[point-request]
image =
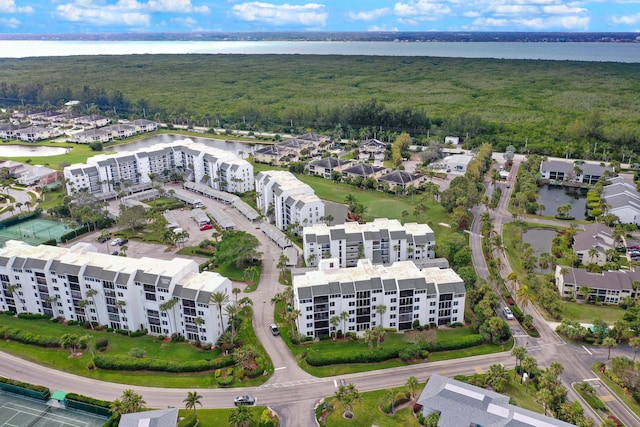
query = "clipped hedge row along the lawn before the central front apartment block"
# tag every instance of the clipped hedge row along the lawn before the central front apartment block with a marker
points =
(316, 358)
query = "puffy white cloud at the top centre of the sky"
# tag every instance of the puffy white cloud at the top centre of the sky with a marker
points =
(308, 15)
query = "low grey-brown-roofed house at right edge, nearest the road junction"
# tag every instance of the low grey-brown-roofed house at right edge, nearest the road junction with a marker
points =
(607, 287)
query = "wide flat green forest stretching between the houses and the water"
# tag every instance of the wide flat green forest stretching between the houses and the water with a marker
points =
(580, 109)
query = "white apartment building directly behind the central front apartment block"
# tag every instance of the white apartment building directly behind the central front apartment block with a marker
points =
(383, 241)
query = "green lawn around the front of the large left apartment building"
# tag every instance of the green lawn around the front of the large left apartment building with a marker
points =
(120, 345)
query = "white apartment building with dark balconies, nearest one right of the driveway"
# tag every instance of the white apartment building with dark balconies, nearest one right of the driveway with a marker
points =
(431, 295)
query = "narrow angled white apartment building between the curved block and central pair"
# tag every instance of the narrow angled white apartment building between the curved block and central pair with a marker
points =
(286, 201)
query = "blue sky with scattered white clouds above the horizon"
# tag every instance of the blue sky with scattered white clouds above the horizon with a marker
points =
(144, 16)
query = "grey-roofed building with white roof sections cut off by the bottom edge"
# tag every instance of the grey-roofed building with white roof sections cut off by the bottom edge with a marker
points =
(462, 404)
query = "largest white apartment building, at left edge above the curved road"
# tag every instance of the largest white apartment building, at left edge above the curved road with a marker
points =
(129, 292)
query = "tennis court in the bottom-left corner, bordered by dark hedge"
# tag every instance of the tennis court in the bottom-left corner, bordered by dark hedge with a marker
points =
(19, 412)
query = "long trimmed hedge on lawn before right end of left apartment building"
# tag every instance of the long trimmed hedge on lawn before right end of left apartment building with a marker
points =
(126, 363)
